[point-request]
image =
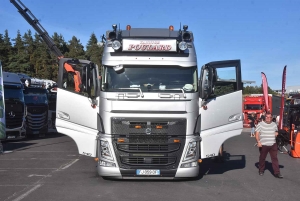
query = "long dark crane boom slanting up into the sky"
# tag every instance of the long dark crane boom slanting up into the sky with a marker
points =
(34, 22)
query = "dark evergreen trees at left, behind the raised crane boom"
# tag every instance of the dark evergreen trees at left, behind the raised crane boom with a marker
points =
(28, 53)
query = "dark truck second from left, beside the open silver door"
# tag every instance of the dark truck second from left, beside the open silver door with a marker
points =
(35, 96)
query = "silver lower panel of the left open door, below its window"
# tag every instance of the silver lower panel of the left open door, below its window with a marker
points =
(76, 118)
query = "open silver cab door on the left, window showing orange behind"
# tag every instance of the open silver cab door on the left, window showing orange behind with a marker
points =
(78, 103)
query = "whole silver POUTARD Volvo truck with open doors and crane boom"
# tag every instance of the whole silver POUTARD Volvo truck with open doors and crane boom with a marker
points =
(148, 114)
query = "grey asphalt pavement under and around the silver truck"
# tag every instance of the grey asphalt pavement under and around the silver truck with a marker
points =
(50, 168)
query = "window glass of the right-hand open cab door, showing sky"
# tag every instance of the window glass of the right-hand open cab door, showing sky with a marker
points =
(225, 80)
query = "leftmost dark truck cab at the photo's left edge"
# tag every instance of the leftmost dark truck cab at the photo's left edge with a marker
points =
(15, 106)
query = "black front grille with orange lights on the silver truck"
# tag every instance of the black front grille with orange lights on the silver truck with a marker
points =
(148, 142)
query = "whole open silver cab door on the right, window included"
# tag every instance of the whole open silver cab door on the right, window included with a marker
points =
(220, 105)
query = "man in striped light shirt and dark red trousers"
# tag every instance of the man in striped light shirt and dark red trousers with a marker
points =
(265, 134)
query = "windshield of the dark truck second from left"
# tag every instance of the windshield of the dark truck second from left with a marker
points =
(35, 96)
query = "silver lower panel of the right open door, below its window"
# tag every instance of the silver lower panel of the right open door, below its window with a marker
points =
(221, 120)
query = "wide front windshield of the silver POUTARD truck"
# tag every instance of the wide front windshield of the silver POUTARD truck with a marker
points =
(150, 78)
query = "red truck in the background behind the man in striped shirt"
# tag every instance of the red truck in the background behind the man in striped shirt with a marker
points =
(255, 103)
